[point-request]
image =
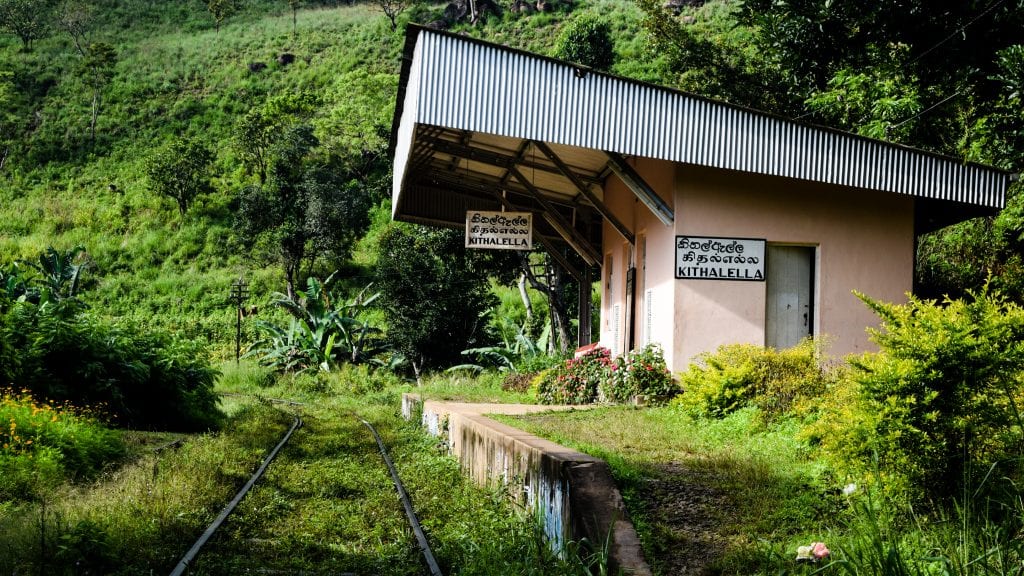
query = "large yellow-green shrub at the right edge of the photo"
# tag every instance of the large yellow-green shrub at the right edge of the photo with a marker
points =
(938, 405)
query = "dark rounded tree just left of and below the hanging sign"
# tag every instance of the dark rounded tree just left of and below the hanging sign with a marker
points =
(436, 295)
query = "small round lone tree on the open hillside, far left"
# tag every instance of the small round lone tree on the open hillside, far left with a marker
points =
(181, 172)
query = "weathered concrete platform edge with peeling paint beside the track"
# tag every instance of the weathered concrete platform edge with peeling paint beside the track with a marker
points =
(573, 493)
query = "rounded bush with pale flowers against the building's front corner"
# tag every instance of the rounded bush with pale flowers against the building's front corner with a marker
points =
(642, 376)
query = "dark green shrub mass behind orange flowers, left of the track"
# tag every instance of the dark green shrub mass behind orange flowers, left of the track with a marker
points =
(143, 379)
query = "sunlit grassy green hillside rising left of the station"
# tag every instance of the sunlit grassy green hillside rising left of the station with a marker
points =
(176, 77)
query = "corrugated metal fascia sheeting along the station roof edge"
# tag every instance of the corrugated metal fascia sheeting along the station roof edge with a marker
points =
(463, 85)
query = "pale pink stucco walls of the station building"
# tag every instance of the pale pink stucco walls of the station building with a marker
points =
(865, 242)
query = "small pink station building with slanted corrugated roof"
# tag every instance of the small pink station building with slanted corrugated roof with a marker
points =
(706, 224)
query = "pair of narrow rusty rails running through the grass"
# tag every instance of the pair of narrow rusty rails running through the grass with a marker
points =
(194, 557)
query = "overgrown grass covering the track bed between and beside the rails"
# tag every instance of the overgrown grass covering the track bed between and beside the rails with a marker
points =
(325, 506)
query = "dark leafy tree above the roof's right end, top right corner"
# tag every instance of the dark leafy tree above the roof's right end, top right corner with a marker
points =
(948, 55)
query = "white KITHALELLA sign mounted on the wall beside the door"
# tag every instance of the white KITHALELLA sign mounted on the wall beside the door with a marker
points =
(701, 258)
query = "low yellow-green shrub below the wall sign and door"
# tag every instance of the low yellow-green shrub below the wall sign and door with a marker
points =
(741, 376)
